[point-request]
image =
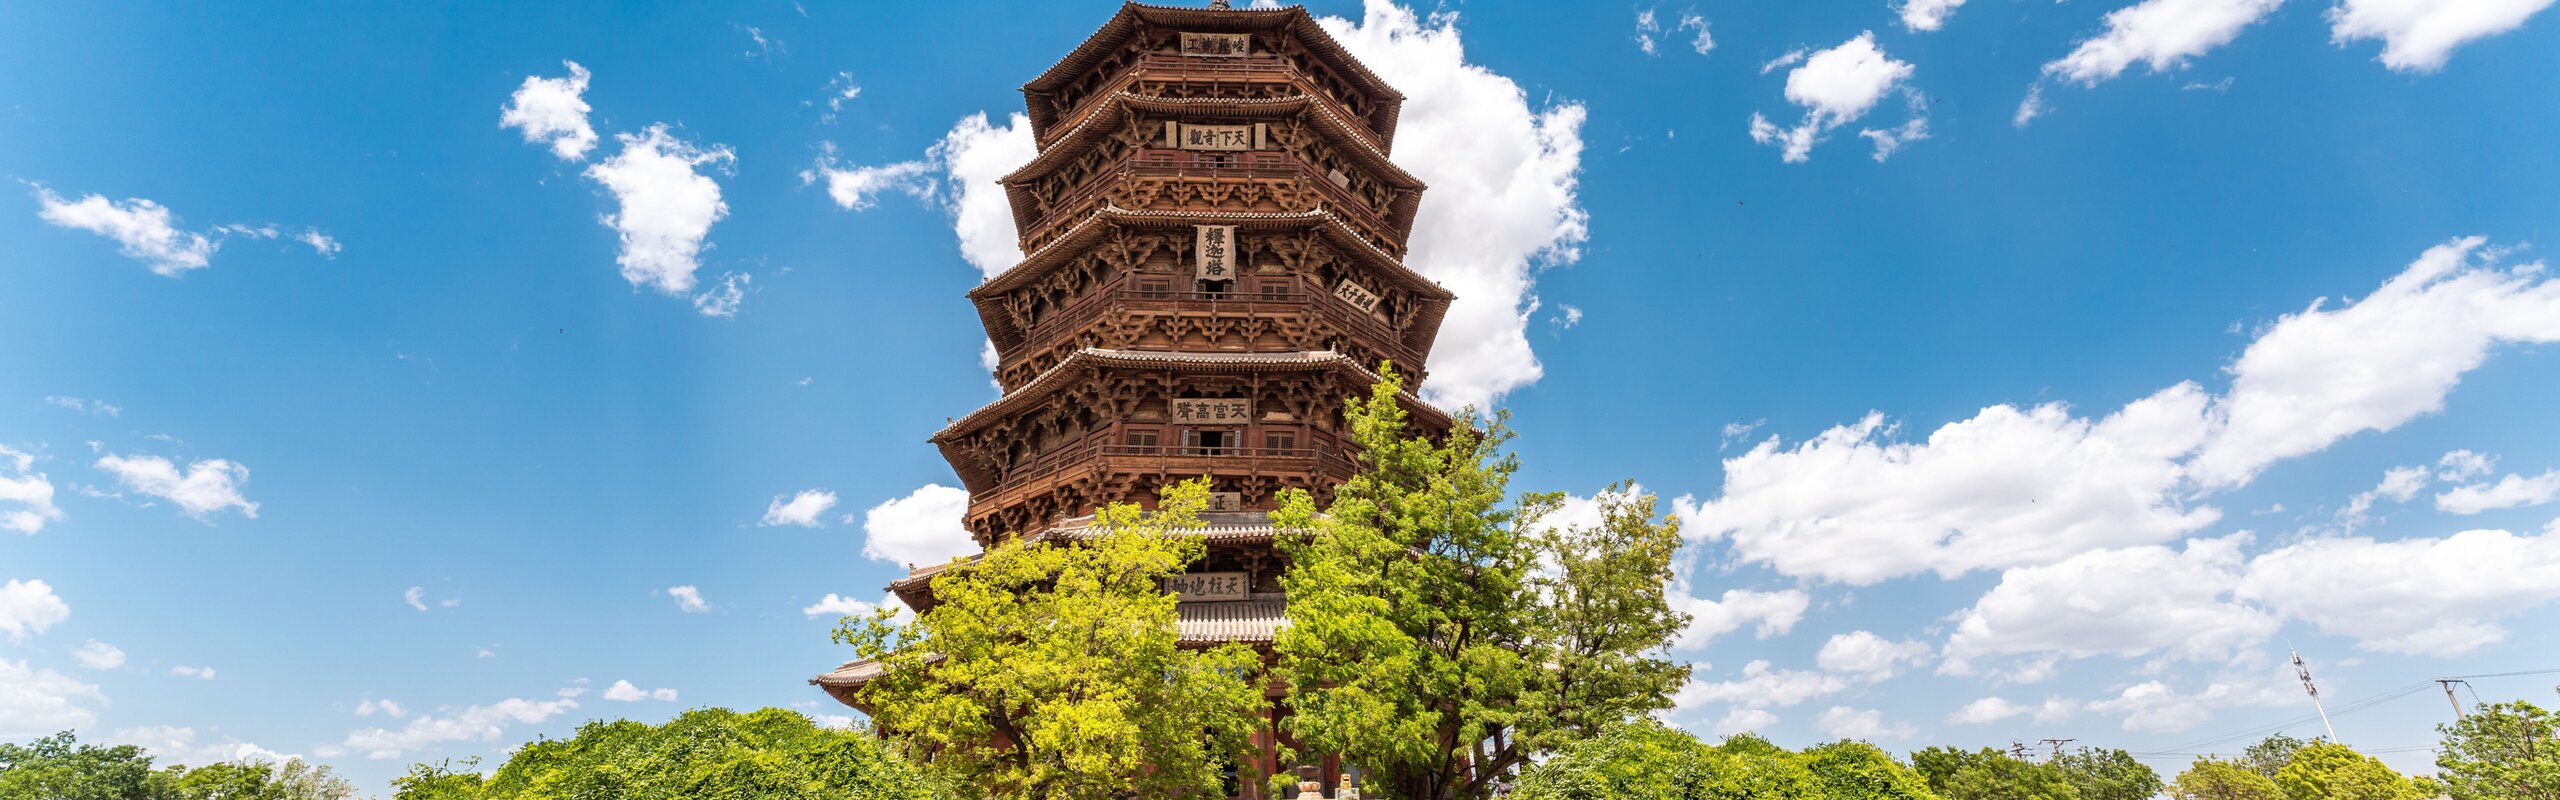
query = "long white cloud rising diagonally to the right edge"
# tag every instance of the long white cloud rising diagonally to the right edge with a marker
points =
(2021, 488)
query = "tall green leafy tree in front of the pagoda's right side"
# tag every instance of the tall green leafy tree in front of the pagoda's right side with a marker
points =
(1422, 640)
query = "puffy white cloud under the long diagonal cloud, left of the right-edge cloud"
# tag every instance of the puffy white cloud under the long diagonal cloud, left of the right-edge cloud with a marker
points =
(2116, 601)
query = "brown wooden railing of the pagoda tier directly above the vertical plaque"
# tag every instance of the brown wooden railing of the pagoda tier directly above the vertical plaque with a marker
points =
(1215, 165)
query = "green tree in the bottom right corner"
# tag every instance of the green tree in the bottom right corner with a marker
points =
(2502, 750)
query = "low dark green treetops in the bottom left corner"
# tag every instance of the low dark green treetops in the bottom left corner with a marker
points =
(60, 768)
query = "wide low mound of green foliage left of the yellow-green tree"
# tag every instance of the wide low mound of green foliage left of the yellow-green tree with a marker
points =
(710, 755)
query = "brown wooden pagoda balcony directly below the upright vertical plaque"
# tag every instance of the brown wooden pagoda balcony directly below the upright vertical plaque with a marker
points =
(1120, 299)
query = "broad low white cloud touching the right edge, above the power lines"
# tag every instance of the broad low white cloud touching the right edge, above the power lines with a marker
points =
(2413, 596)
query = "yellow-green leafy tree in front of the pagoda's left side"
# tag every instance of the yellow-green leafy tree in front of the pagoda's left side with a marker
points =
(1053, 671)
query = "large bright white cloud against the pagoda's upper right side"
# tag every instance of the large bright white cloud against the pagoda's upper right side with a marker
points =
(1504, 194)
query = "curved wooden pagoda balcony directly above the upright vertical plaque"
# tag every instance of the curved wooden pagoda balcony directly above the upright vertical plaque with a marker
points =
(1217, 168)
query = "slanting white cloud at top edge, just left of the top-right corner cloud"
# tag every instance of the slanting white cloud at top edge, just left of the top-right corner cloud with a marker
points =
(2159, 35)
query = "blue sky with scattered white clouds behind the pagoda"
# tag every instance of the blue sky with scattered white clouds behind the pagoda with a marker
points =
(347, 422)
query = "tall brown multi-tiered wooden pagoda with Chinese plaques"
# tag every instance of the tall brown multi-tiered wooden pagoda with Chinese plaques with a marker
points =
(1215, 265)
